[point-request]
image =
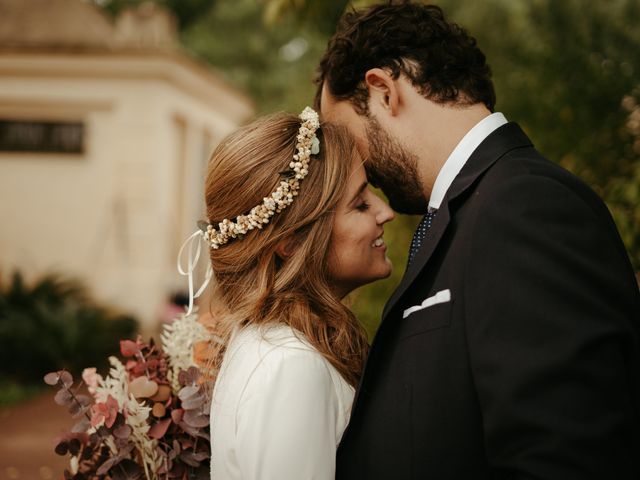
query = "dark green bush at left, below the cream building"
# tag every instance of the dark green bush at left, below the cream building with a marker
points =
(53, 325)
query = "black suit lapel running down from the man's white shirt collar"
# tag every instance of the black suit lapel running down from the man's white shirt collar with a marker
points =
(497, 144)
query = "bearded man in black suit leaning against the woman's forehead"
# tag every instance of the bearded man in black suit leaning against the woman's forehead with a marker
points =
(510, 350)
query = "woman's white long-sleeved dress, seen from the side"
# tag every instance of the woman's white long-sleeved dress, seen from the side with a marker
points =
(279, 409)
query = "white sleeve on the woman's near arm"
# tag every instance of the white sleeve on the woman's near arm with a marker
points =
(286, 421)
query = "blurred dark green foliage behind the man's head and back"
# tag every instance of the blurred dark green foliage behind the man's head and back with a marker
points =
(568, 72)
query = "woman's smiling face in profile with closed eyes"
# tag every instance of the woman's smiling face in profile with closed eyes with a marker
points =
(358, 252)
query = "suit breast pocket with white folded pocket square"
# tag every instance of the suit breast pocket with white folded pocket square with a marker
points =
(432, 314)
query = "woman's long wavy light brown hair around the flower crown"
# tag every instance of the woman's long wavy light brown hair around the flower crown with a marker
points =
(252, 284)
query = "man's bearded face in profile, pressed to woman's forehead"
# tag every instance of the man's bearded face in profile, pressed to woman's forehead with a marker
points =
(390, 166)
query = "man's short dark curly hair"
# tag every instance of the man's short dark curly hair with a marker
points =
(440, 58)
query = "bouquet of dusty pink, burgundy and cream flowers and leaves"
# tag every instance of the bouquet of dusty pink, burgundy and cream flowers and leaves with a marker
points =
(148, 418)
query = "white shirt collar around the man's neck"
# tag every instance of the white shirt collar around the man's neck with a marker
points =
(461, 154)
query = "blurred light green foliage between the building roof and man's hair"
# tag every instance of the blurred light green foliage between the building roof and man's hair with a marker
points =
(274, 64)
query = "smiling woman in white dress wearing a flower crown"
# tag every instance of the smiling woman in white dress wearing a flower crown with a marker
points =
(292, 229)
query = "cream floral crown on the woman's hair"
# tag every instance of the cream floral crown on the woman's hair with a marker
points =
(307, 145)
